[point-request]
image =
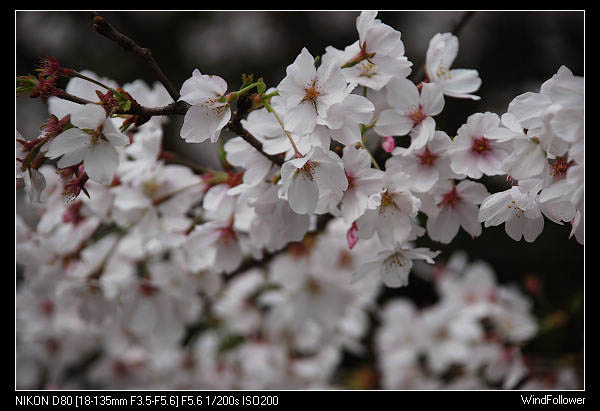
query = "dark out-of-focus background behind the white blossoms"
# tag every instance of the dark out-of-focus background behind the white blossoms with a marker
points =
(514, 52)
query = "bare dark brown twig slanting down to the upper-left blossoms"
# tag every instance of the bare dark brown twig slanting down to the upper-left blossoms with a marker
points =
(103, 27)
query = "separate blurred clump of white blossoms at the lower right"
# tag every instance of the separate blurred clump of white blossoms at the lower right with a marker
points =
(470, 339)
